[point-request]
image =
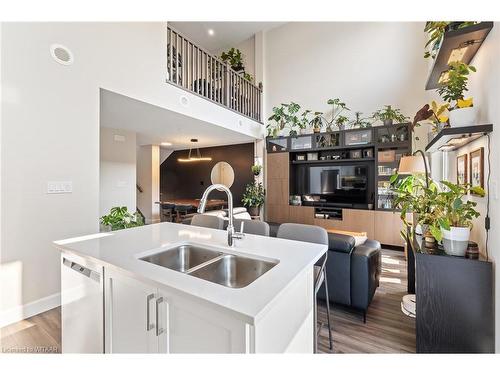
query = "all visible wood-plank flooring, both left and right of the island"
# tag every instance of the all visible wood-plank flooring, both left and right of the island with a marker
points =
(387, 329)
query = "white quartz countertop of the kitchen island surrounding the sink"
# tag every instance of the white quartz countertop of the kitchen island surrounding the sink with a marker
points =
(123, 248)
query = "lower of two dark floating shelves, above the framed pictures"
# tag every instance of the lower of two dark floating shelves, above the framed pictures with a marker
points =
(450, 139)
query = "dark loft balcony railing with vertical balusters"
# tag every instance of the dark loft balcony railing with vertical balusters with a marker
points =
(194, 69)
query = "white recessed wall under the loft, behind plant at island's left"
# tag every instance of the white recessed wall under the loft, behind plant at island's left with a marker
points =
(117, 170)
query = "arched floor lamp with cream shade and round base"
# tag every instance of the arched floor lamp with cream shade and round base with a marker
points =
(414, 164)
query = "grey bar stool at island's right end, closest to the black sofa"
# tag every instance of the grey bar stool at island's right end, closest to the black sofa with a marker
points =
(314, 234)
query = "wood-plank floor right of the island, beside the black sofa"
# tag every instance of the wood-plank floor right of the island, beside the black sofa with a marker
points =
(387, 329)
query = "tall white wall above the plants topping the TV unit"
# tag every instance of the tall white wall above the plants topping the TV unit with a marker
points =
(367, 65)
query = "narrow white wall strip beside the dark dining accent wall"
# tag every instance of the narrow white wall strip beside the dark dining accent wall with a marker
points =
(148, 178)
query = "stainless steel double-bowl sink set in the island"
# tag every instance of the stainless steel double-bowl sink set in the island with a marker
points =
(232, 271)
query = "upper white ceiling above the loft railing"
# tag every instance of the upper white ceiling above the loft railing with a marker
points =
(225, 34)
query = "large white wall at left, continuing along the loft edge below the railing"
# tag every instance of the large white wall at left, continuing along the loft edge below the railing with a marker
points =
(50, 132)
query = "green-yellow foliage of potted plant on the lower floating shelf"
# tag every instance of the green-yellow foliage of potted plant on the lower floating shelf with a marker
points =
(455, 85)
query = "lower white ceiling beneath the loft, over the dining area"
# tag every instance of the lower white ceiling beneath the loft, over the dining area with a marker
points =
(155, 125)
